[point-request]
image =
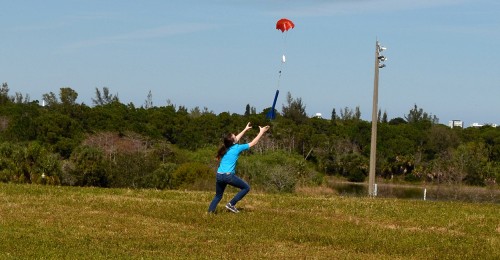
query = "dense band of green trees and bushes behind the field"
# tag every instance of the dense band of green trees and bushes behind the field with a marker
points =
(111, 144)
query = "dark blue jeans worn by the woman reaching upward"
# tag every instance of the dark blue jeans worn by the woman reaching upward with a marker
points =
(220, 185)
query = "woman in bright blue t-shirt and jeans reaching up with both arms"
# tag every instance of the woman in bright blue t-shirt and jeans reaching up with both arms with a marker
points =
(226, 173)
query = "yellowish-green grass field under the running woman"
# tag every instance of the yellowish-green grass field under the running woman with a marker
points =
(46, 222)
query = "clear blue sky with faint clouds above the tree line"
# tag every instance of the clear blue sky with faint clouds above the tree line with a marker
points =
(443, 55)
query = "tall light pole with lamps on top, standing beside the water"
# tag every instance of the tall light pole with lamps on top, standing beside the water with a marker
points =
(373, 148)
